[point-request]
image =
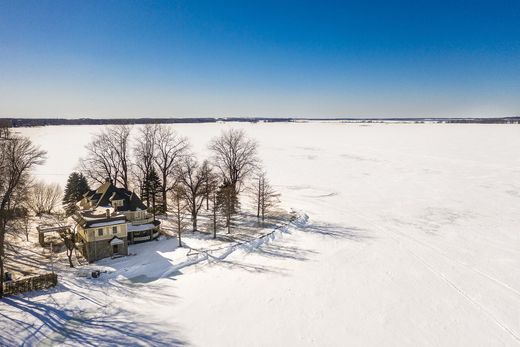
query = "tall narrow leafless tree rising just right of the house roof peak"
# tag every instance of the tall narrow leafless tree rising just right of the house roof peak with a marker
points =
(145, 151)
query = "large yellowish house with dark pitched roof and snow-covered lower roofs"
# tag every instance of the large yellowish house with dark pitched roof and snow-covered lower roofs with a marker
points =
(111, 218)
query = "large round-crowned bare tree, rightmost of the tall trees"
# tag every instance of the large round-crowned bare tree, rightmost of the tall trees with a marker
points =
(235, 155)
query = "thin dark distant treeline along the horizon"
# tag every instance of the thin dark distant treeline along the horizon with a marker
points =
(31, 122)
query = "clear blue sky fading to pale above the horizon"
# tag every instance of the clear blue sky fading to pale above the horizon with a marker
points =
(259, 58)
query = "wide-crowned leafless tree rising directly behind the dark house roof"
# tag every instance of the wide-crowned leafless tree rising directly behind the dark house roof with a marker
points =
(108, 156)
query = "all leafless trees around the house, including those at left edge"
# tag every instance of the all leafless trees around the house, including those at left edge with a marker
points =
(158, 163)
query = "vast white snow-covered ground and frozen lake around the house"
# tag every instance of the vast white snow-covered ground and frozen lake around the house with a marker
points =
(407, 235)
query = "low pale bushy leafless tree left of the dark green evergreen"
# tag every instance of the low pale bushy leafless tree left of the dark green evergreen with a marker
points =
(44, 197)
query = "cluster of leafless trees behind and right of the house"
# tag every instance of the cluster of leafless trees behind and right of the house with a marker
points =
(170, 178)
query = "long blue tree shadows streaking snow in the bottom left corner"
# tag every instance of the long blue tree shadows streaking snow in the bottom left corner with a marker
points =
(61, 325)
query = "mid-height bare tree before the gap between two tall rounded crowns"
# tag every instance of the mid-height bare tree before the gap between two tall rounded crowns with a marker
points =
(192, 179)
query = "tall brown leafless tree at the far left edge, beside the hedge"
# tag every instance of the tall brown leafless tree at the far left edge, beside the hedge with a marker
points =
(18, 156)
